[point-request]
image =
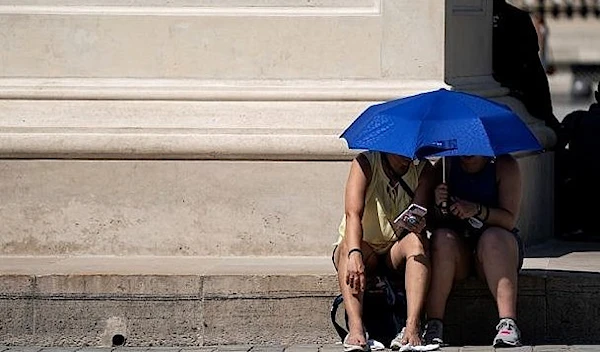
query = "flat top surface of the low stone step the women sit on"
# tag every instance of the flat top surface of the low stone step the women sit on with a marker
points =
(551, 257)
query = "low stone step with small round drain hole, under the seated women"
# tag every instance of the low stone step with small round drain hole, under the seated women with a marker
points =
(207, 301)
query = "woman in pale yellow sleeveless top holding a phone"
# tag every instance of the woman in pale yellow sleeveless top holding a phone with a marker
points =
(378, 189)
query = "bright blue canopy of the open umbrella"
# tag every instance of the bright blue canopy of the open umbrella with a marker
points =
(440, 123)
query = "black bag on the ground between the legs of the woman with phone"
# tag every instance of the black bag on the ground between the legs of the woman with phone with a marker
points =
(384, 311)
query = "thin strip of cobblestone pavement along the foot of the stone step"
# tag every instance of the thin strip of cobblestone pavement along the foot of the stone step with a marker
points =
(294, 348)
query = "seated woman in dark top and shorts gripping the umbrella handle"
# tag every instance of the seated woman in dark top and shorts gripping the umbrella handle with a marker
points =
(475, 231)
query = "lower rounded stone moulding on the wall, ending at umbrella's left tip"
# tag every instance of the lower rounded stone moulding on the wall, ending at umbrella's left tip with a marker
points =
(171, 145)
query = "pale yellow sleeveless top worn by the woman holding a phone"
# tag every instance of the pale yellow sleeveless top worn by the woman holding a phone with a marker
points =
(383, 204)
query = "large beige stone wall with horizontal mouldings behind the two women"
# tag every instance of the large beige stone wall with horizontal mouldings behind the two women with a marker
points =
(212, 128)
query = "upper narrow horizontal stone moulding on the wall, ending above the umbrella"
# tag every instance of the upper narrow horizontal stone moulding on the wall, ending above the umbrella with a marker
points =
(212, 90)
